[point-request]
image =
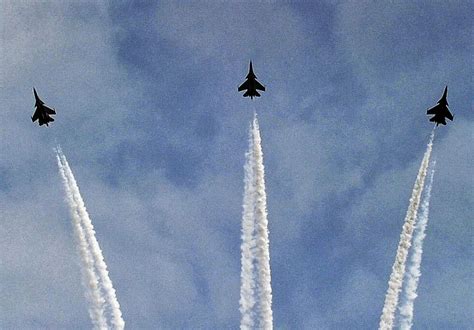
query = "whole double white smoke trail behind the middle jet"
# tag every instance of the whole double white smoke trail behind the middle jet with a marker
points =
(255, 290)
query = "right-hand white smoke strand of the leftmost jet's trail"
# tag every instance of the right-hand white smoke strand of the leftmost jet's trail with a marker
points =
(101, 267)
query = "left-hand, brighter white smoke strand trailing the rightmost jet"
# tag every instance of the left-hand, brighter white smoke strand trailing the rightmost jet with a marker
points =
(398, 268)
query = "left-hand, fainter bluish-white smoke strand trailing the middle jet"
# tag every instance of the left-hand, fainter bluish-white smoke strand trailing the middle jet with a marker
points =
(247, 274)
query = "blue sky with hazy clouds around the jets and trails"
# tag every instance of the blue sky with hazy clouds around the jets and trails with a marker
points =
(149, 117)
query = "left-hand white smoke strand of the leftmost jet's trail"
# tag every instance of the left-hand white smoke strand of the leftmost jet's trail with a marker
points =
(90, 280)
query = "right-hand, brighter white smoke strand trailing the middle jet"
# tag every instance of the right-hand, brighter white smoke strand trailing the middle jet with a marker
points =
(264, 292)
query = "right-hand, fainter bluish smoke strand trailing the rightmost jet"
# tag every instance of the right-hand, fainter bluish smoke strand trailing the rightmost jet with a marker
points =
(414, 272)
